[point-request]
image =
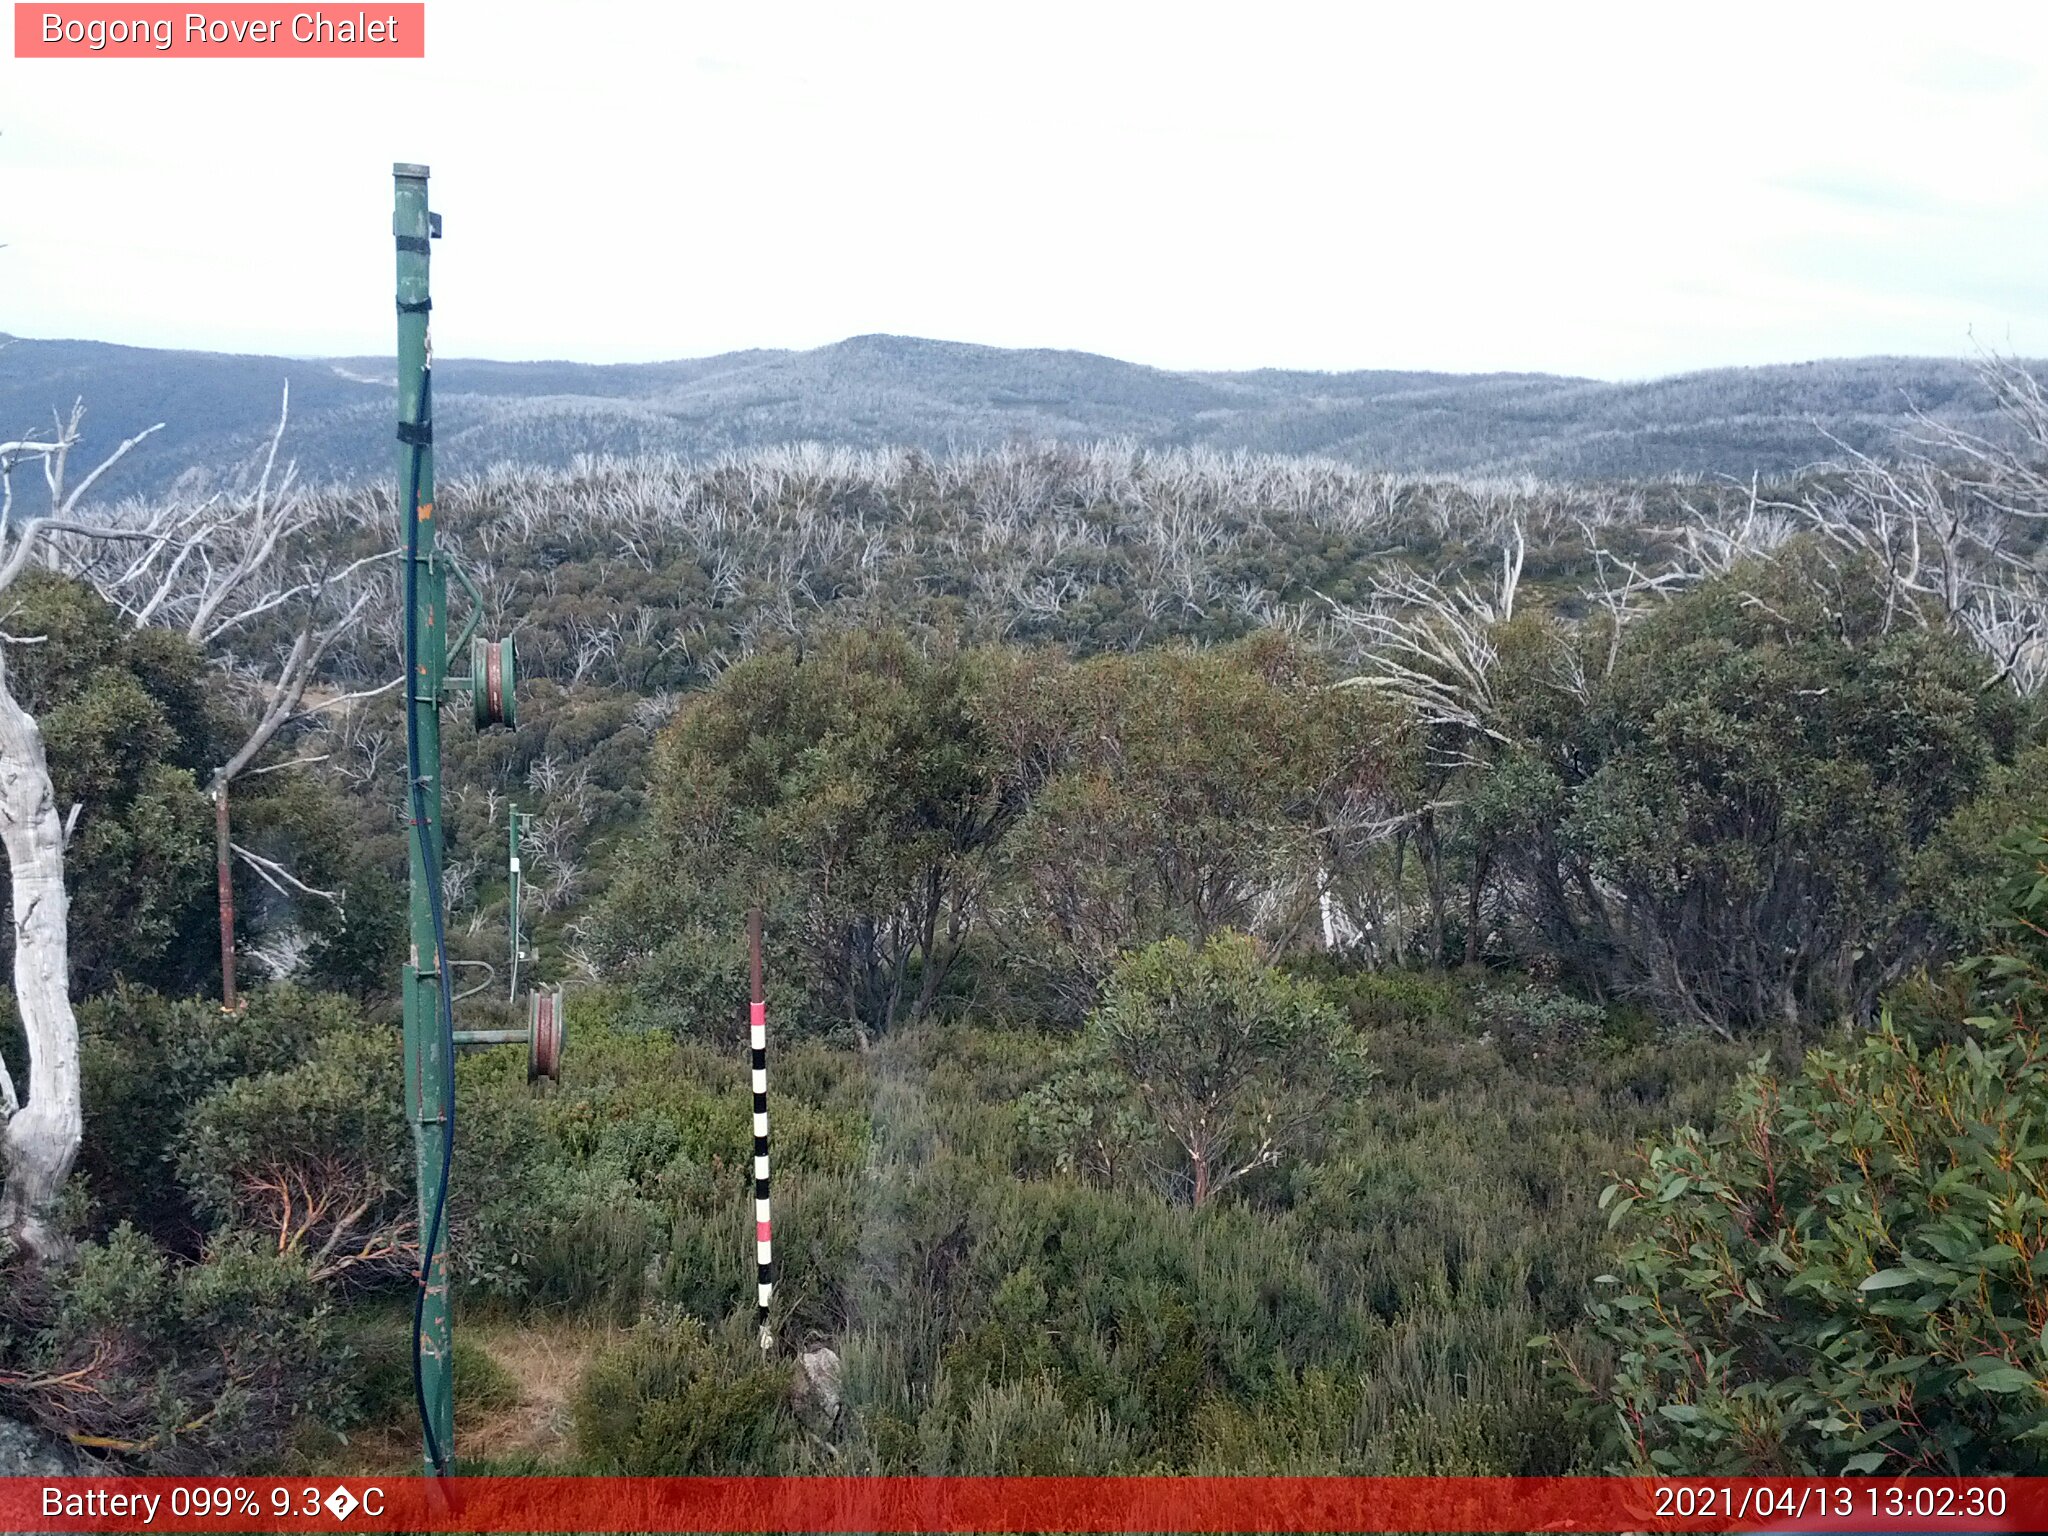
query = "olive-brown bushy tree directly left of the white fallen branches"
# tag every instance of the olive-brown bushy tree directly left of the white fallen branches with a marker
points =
(1193, 787)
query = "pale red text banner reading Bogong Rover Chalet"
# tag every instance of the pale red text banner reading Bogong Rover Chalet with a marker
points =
(220, 32)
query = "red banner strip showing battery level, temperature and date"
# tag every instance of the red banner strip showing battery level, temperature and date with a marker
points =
(1023, 1504)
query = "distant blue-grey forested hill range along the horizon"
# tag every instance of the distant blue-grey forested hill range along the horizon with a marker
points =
(898, 390)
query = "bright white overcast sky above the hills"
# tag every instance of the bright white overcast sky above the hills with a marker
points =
(1576, 189)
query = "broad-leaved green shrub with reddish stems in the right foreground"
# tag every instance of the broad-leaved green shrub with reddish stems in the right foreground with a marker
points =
(1848, 1277)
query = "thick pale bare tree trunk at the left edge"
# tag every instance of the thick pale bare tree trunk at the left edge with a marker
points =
(42, 1136)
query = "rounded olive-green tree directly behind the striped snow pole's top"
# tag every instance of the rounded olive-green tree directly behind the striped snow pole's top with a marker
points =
(855, 787)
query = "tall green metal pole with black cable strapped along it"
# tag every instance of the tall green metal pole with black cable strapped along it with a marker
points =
(427, 1066)
